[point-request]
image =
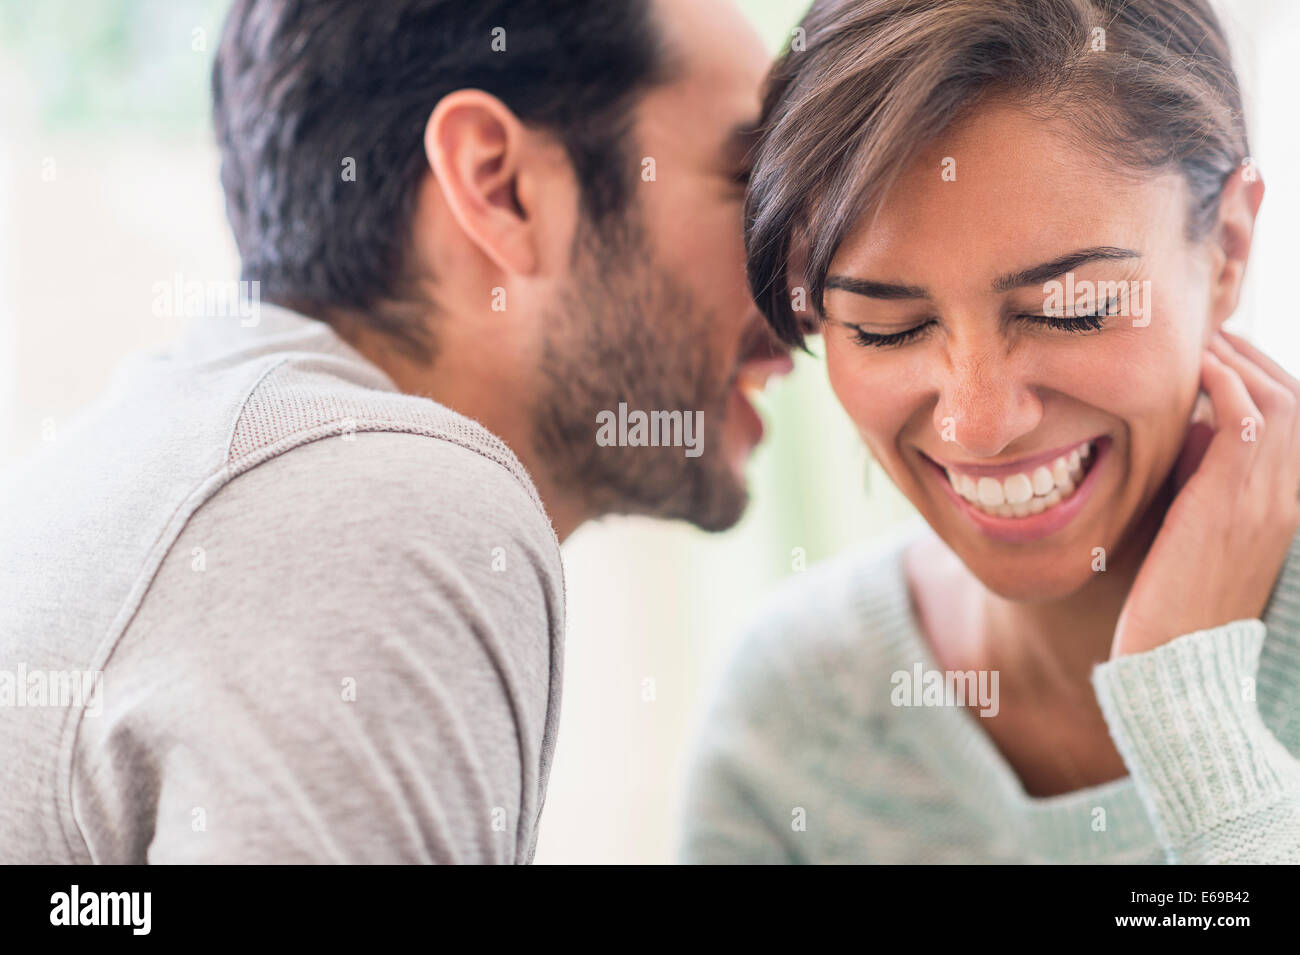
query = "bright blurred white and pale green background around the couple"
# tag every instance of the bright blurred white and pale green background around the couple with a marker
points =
(109, 184)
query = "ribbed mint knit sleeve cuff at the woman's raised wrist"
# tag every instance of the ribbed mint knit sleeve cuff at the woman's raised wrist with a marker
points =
(1185, 719)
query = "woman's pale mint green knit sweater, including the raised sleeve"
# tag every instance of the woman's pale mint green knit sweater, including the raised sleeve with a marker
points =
(804, 759)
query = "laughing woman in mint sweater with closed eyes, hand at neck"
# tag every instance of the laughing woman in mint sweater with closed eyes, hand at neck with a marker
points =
(1021, 225)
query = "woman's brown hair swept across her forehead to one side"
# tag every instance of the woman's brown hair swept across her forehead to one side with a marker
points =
(868, 84)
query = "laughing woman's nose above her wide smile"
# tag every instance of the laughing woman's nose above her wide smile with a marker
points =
(985, 402)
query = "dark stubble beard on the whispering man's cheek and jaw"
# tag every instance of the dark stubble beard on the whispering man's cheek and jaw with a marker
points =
(627, 332)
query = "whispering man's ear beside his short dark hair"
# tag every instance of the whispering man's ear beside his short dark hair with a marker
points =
(476, 146)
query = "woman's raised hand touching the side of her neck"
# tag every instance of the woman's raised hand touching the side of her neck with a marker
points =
(1227, 535)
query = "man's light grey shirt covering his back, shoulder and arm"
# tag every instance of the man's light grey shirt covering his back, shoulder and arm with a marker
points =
(262, 607)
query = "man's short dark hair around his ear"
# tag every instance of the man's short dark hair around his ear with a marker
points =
(302, 86)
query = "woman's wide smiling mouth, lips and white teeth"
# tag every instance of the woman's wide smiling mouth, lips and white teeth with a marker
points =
(1032, 498)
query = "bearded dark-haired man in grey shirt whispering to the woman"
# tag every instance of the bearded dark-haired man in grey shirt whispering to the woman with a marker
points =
(309, 571)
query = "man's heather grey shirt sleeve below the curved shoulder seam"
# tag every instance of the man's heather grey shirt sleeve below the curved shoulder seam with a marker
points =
(369, 605)
